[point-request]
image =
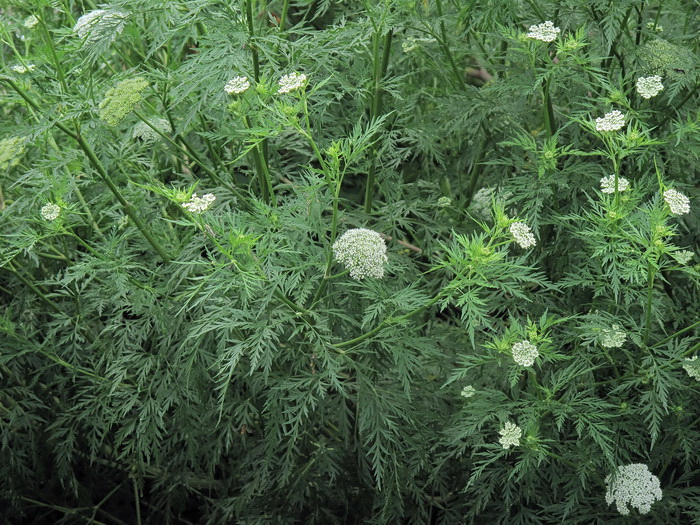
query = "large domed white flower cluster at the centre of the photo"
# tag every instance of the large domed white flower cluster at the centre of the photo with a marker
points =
(362, 251)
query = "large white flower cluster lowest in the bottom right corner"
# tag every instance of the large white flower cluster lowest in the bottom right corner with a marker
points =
(633, 485)
